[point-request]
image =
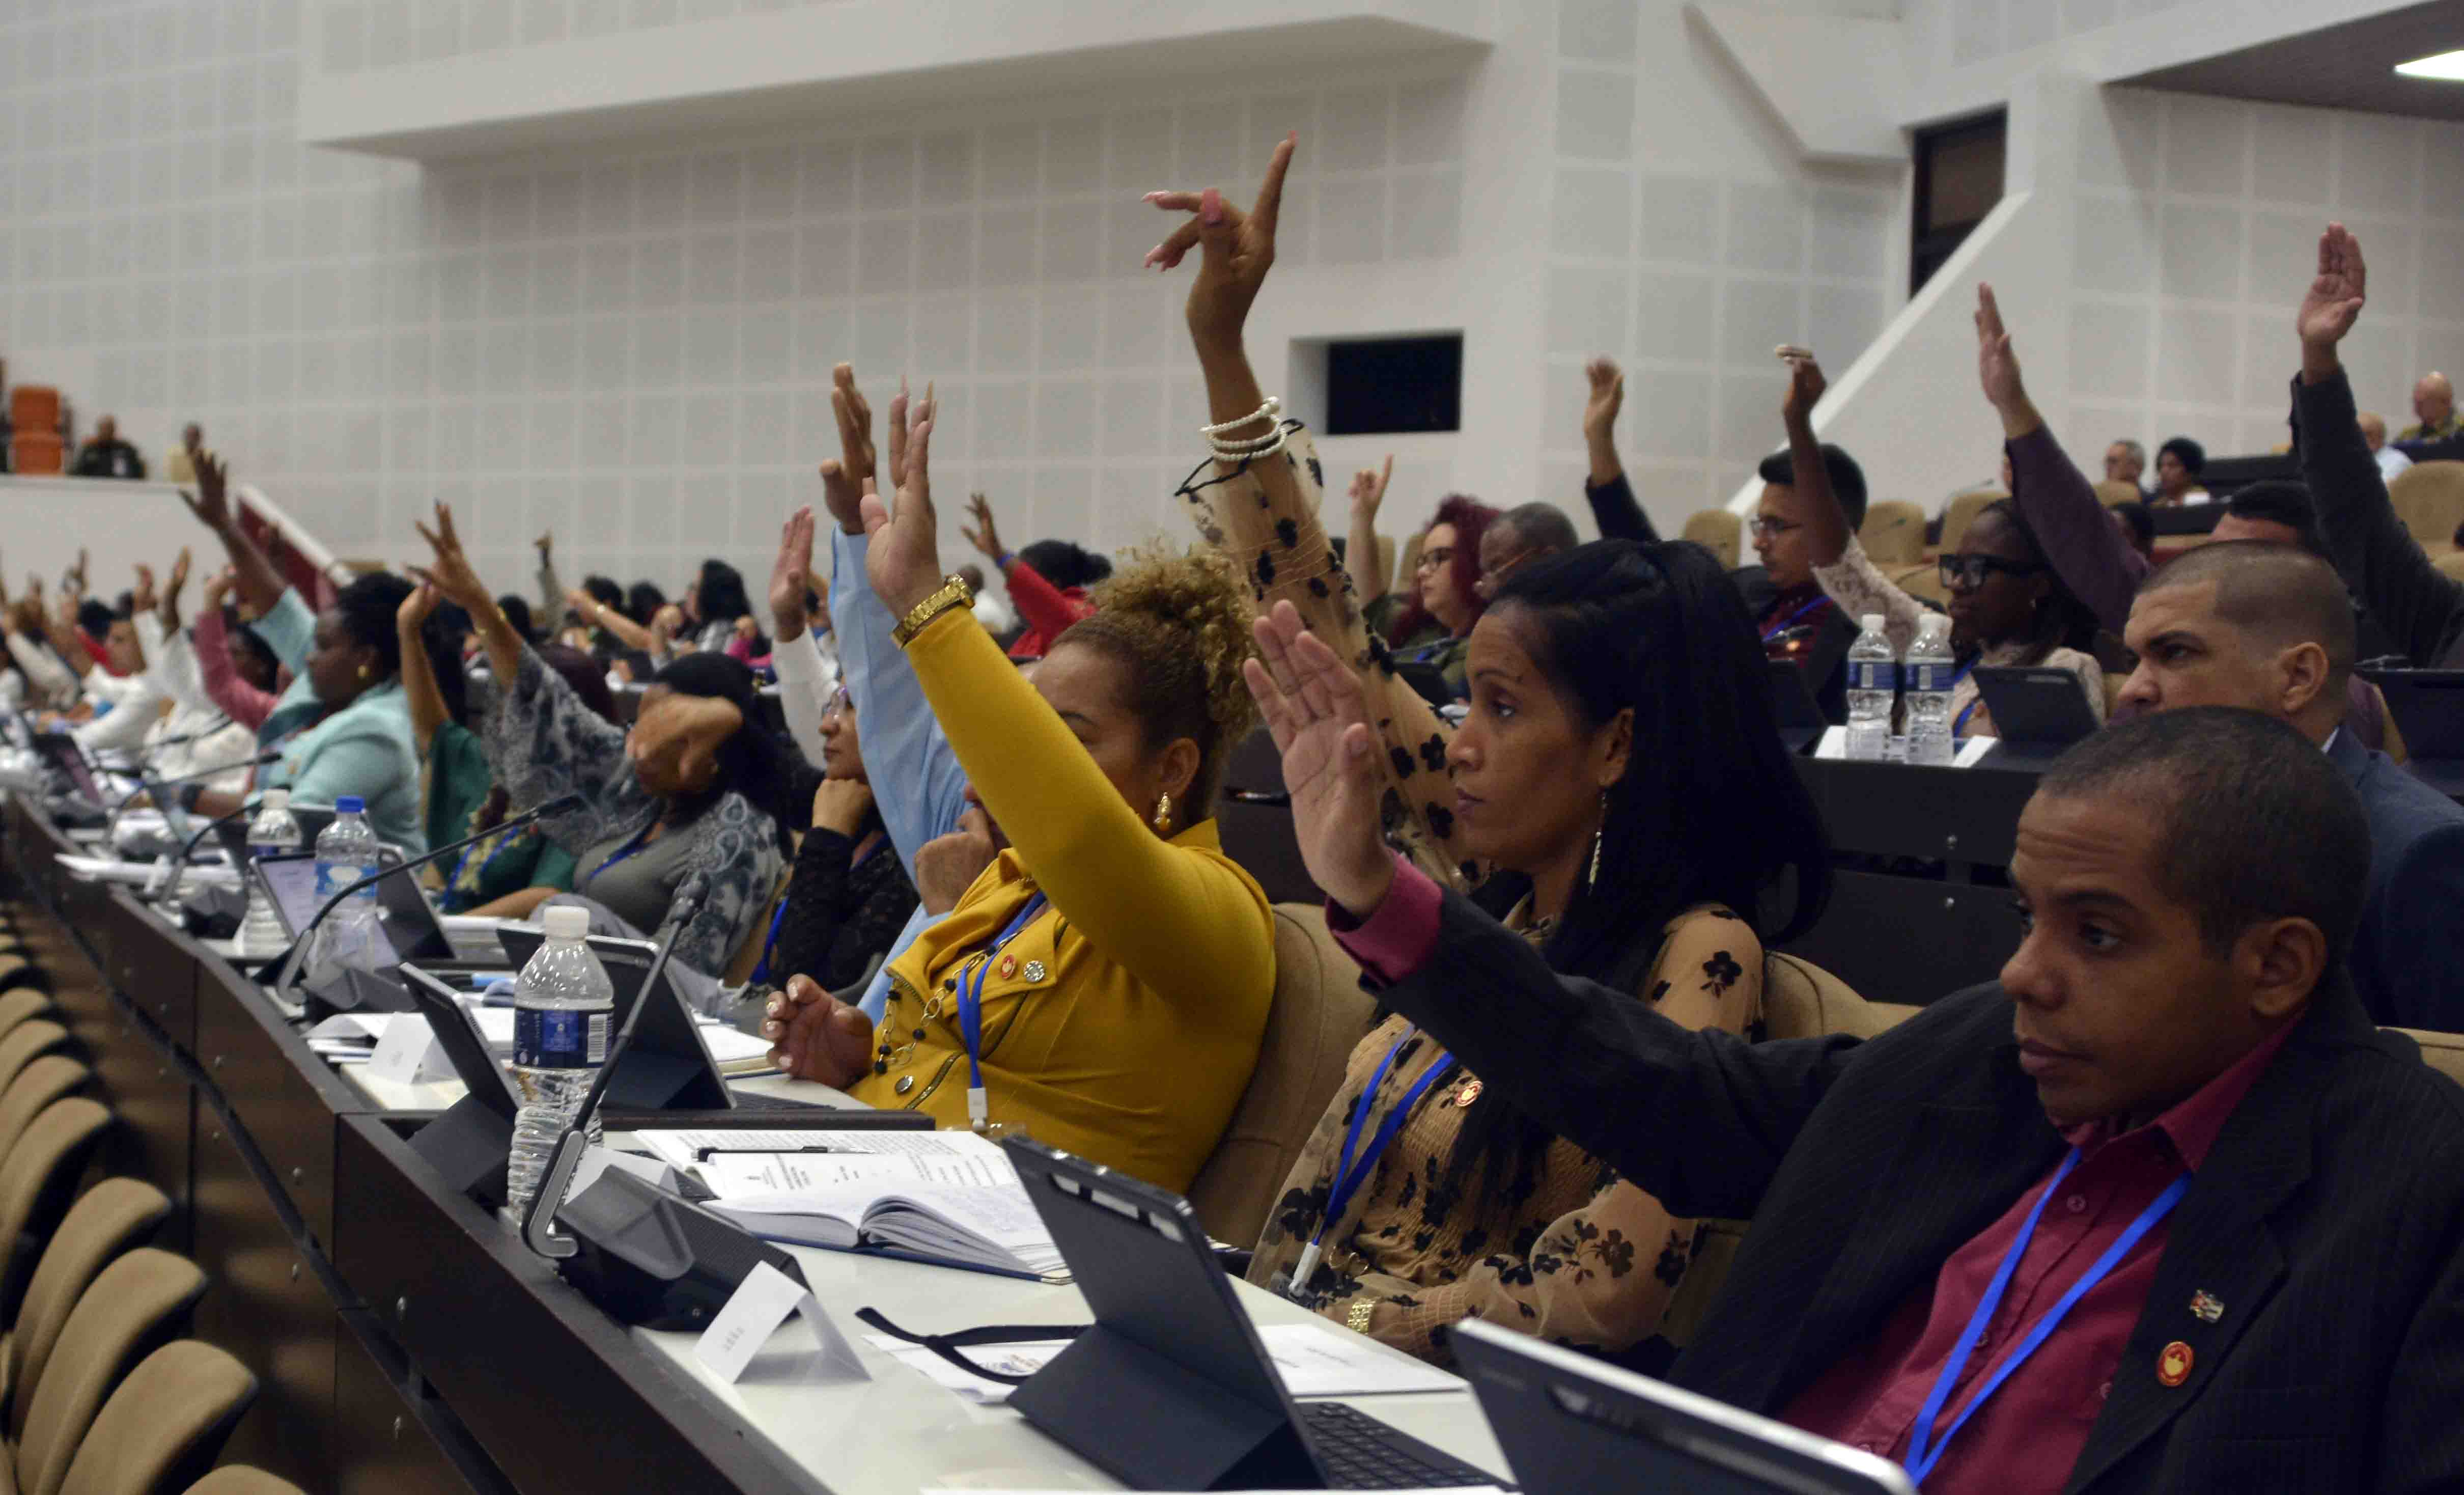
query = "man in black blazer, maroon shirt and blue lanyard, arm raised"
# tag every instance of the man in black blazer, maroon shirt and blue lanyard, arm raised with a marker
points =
(2170, 1139)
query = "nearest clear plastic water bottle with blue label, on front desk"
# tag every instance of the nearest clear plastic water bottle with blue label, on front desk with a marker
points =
(563, 1006)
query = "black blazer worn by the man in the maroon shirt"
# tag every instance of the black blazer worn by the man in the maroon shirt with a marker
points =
(2330, 1218)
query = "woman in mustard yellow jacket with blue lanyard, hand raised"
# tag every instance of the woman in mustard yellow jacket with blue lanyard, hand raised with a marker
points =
(1105, 981)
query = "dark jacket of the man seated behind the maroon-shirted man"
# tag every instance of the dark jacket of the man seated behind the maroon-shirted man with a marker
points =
(2409, 957)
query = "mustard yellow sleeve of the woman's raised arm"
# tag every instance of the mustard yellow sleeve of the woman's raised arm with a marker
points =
(1174, 920)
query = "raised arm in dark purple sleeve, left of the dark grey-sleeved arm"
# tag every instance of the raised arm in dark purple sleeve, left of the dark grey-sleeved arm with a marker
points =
(2049, 489)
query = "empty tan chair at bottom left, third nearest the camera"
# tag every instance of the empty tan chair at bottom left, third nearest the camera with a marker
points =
(134, 1307)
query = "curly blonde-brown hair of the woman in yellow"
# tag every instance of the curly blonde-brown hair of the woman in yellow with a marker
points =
(1181, 624)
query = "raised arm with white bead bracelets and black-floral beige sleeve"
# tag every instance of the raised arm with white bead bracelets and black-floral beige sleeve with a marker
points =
(1260, 504)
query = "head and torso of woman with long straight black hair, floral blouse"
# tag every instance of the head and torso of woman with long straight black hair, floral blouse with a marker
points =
(1625, 777)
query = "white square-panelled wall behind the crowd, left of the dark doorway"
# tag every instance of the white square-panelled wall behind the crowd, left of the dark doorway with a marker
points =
(634, 349)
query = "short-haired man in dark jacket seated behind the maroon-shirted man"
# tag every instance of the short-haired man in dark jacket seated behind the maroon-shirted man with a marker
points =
(2268, 629)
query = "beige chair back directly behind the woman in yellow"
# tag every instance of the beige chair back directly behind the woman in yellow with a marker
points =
(1312, 1028)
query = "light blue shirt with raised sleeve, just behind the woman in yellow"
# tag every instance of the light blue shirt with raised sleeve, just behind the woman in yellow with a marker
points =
(918, 782)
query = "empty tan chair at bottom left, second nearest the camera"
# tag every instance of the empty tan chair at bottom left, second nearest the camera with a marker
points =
(166, 1425)
